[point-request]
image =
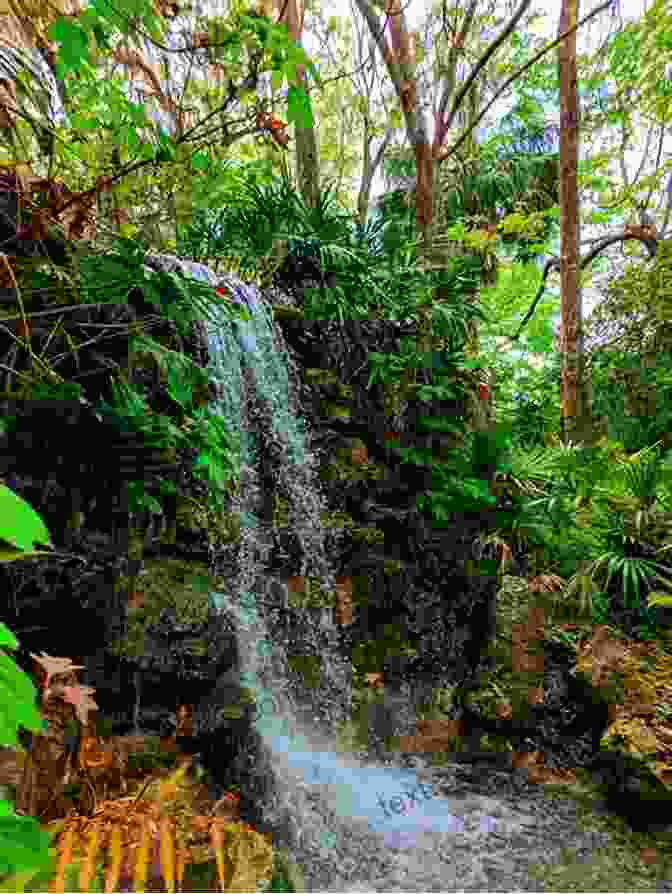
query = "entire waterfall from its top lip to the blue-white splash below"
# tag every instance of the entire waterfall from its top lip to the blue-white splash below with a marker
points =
(337, 804)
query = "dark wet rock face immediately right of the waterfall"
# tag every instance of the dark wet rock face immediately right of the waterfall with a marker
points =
(442, 597)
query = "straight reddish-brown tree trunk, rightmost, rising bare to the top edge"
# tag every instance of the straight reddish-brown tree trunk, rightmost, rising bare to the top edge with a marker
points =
(575, 413)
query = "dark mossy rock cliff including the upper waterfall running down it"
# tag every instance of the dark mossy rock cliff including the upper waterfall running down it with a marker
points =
(337, 538)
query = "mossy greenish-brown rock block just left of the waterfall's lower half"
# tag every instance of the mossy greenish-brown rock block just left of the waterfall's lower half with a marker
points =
(173, 584)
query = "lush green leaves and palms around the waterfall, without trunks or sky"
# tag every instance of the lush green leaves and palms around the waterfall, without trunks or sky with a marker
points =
(596, 514)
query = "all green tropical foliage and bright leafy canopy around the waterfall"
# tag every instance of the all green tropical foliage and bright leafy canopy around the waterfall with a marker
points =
(95, 173)
